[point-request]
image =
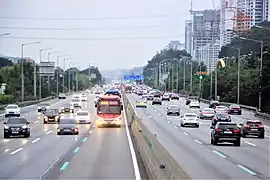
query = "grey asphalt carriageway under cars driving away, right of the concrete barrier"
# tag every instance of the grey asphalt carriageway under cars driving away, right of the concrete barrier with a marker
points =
(191, 147)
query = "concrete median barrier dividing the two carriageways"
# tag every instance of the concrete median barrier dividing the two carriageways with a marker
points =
(158, 162)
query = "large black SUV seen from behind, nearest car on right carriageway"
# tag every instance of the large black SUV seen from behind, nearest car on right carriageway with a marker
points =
(226, 132)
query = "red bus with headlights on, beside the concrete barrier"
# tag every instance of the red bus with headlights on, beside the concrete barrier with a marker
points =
(109, 109)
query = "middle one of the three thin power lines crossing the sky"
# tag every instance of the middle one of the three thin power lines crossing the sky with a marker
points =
(87, 29)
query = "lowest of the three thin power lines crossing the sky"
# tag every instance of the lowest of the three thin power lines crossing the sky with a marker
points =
(94, 39)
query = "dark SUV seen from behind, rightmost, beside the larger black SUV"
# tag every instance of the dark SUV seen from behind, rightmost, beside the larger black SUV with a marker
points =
(252, 127)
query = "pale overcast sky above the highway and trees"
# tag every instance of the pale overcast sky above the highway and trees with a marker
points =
(117, 33)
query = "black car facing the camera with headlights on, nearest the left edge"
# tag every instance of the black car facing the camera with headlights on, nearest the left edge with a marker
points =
(16, 126)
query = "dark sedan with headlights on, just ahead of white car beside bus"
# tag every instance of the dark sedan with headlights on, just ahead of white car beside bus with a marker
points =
(67, 125)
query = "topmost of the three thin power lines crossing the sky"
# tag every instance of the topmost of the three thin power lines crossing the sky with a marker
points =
(92, 18)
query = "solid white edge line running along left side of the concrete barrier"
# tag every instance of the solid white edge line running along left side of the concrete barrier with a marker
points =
(132, 151)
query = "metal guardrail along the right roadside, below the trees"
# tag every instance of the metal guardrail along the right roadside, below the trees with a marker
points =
(250, 108)
